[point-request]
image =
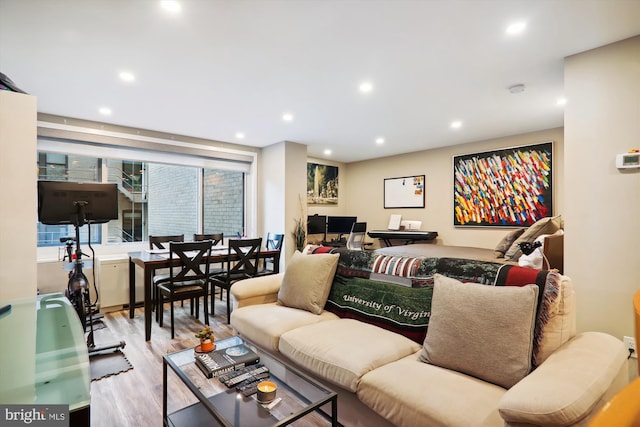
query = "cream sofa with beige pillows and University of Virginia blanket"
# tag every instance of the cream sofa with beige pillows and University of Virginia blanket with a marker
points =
(385, 374)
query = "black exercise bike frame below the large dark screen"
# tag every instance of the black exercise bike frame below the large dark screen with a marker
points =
(78, 285)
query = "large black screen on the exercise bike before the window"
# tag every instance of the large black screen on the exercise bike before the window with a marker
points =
(63, 202)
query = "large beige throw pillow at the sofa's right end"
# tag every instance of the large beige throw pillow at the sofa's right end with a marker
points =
(481, 330)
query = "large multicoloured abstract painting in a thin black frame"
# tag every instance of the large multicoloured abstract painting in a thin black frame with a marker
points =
(504, 188)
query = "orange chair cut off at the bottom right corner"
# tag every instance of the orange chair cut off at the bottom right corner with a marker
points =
(623, 410)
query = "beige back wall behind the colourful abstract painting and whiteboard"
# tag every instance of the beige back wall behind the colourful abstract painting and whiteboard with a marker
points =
(363, 192)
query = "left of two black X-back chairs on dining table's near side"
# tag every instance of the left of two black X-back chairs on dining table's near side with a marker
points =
(188, 280)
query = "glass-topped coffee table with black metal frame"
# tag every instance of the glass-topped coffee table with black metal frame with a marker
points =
(297, 395)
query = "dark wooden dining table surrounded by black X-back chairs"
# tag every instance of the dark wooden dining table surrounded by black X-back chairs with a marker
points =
(150, 262)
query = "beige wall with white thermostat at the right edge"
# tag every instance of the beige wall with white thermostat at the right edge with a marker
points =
(602, 244)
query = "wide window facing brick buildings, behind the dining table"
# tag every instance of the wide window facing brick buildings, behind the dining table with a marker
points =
(154, 198)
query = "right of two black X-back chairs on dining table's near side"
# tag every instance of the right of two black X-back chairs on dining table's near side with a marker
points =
(242, 263)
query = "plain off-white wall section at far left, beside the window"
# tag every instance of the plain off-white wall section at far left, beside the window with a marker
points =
(18, 192)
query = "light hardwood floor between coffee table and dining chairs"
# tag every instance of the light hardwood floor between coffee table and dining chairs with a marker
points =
(134, 398)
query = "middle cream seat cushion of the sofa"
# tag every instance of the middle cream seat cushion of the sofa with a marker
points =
(343, 350)
